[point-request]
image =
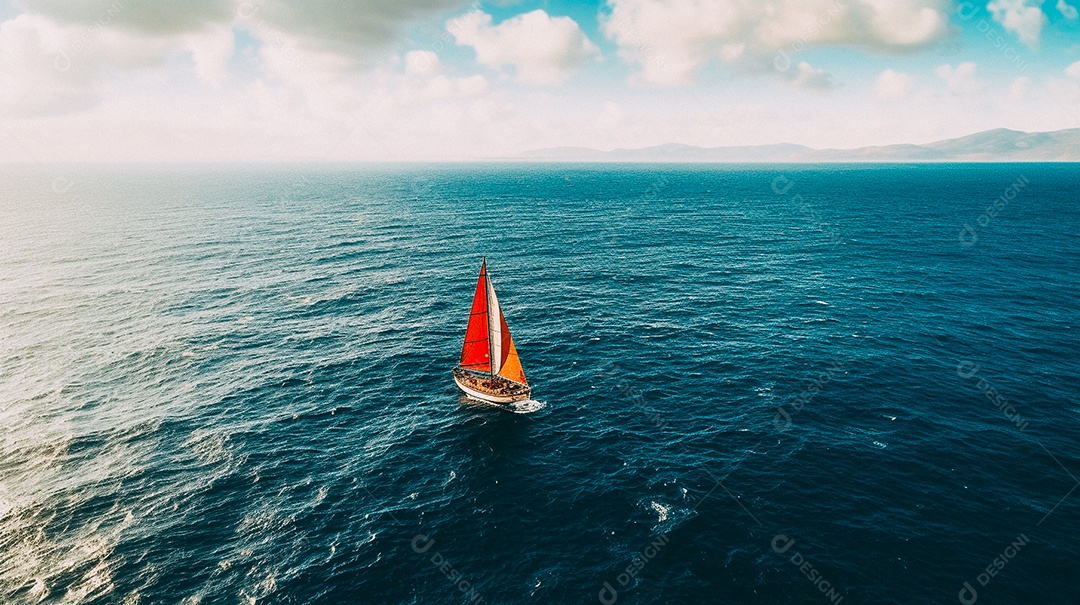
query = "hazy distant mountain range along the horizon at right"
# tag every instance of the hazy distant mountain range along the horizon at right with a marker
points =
(1000, 145)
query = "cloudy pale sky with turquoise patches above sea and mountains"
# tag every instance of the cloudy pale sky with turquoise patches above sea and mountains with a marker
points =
(401, 80)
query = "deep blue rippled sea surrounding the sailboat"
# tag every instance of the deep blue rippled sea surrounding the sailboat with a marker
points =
(232, 385)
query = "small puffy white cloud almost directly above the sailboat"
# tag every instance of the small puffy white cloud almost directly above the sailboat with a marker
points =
(543, 49)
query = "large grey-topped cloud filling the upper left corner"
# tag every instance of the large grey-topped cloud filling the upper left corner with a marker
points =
(58, 55)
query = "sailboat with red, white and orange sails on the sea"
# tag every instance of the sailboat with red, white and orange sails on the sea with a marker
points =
(490, 369)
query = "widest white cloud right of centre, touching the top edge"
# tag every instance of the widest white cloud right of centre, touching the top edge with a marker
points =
(672, 39)
